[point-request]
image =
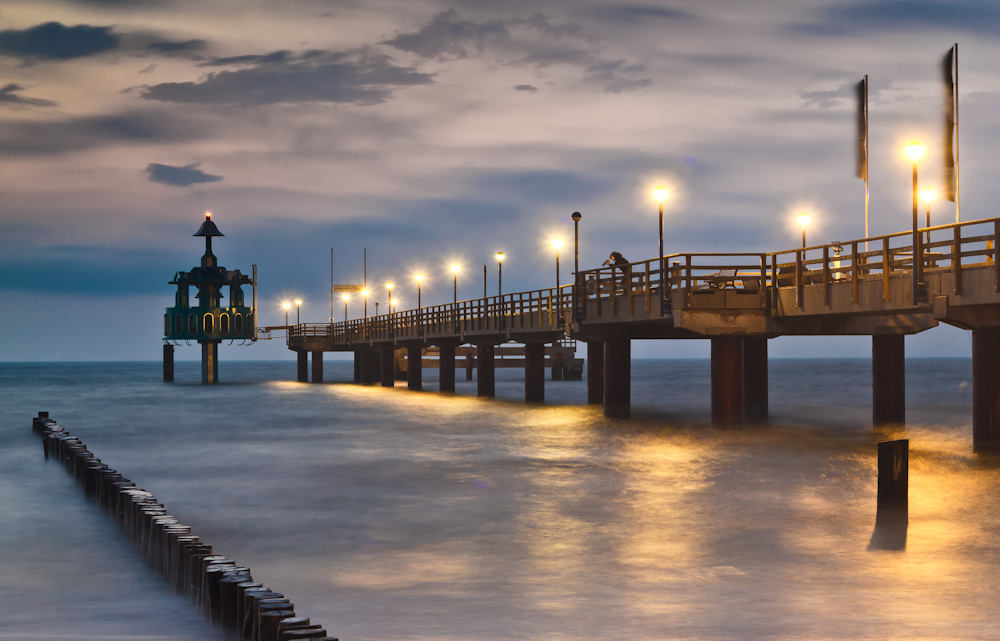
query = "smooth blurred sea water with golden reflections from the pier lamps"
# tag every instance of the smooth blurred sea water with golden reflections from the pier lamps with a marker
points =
(388, 514)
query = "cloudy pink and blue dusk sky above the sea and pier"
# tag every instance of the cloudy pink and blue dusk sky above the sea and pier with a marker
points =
(433, 132)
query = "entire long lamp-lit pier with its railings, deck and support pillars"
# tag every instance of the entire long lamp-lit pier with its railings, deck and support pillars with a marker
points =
(886, 287)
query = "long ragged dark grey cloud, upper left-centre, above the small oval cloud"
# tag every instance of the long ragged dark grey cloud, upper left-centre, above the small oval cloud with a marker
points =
(365, 79)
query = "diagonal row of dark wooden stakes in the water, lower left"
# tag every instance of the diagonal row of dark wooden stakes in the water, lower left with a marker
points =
(222, 589)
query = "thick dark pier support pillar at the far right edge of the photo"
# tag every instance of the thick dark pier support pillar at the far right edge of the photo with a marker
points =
(985, 390)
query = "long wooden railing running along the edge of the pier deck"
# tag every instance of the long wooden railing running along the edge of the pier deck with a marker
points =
(641, 291)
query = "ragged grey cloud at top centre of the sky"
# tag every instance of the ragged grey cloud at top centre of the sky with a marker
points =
(534, 41)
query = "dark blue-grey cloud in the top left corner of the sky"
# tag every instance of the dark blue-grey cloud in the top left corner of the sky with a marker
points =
(55, 41)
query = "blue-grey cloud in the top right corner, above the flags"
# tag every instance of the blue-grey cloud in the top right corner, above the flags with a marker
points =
(852, 18)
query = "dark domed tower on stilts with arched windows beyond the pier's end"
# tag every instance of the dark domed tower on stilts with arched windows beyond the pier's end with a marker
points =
(210, 321)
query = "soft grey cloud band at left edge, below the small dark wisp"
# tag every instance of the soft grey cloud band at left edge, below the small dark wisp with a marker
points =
(32, 137)
